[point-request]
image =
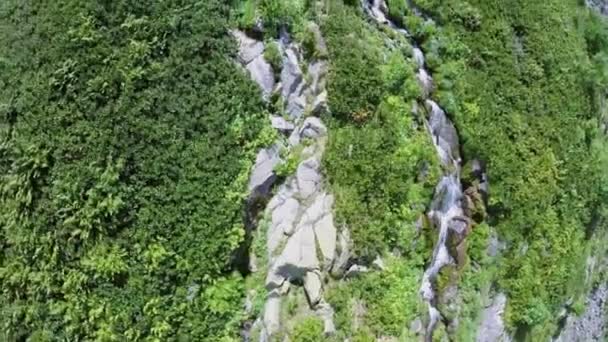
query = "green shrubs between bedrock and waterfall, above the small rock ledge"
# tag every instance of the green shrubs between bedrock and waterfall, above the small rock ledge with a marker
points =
(380, 162)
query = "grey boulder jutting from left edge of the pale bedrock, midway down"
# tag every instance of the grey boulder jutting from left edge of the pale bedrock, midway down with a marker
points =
(263, 176)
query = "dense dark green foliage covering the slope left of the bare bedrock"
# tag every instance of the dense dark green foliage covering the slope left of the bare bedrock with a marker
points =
(126, 138)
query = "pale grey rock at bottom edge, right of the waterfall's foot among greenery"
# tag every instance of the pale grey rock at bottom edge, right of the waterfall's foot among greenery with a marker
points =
(492, 328)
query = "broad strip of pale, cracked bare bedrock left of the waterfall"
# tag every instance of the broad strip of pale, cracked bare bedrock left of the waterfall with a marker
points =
(302, 244)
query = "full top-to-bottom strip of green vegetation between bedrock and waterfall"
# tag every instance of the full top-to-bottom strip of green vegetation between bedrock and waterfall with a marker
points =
(382, 169)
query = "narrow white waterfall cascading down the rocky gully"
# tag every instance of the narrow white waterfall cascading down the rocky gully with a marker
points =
(446, 210)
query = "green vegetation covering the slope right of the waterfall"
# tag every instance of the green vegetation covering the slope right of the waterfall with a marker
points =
(521, 81)
